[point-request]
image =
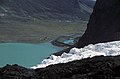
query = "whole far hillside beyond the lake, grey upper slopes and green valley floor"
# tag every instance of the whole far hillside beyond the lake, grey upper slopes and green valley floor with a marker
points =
(42, 21)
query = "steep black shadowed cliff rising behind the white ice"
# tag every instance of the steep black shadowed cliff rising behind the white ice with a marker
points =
(104, 23)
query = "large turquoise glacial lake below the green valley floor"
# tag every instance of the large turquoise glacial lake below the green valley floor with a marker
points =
(25, 54)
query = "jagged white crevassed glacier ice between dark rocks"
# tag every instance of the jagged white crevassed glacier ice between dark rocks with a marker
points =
(105, 49)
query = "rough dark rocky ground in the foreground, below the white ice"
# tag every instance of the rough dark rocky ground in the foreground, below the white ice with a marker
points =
(90, 68)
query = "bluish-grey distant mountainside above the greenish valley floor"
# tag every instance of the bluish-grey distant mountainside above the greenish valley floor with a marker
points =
(46, 9)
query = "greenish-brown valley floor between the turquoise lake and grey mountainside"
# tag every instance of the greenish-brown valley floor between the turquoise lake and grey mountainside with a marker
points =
(37, 31)
